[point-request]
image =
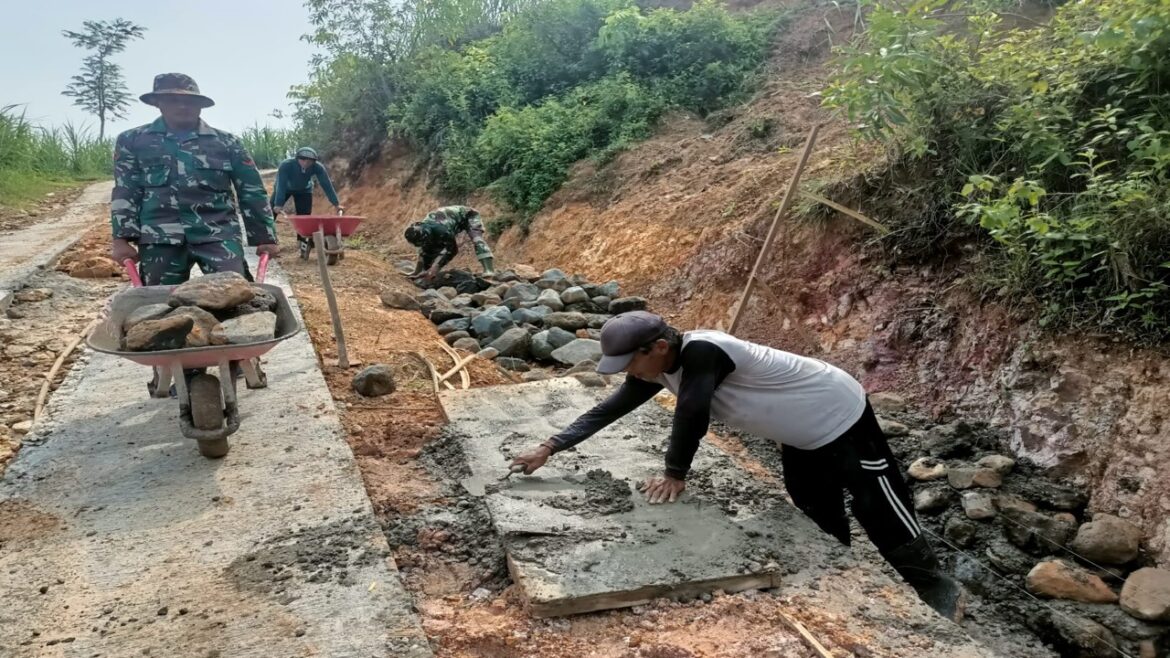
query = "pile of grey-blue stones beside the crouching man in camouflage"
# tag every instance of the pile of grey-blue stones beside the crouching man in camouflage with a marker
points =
(550, 319)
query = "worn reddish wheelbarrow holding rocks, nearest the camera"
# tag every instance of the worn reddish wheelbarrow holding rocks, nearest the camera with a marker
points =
(209, 409)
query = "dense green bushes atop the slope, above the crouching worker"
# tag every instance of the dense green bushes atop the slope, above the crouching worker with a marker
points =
(514, 102)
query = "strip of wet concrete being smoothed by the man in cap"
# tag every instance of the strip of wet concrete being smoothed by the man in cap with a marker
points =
(580, 538)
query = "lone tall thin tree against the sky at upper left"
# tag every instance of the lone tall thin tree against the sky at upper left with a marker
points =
(100, 88)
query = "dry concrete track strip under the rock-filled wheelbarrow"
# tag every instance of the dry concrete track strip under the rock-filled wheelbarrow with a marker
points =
(119, 539)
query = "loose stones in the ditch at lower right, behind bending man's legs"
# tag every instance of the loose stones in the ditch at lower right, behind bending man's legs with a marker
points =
(1006, 527)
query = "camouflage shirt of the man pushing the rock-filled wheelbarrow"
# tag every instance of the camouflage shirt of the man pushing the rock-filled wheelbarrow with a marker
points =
(175, 190)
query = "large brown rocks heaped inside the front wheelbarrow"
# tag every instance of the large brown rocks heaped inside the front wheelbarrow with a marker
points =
(216, 310)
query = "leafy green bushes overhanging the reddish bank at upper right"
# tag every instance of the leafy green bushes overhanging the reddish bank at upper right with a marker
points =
(1056, 139)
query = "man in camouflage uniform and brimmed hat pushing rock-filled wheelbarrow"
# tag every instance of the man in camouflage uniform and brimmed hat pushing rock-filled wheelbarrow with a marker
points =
(173, 191)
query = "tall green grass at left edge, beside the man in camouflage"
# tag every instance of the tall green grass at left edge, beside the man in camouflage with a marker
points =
(36, 160)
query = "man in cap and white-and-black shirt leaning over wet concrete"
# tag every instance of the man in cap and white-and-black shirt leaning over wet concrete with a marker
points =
(818, 413)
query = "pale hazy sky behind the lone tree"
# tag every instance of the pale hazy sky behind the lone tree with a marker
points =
(245, 54)
